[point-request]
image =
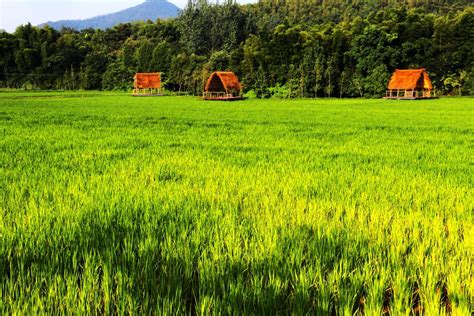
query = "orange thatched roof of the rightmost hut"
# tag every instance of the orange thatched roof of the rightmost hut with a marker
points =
(410, 79)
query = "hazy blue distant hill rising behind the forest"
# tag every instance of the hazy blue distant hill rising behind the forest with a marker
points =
(149, 10)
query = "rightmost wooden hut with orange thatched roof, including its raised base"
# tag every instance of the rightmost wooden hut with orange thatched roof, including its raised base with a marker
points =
(410, 84)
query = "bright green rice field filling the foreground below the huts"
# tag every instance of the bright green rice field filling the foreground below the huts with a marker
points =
(114, 204)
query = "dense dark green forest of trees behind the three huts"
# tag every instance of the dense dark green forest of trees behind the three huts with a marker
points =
(279, 48)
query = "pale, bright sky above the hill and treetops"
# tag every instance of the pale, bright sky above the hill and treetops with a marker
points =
(16, 12)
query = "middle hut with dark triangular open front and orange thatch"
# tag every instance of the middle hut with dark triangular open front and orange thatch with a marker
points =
(222, 85)
